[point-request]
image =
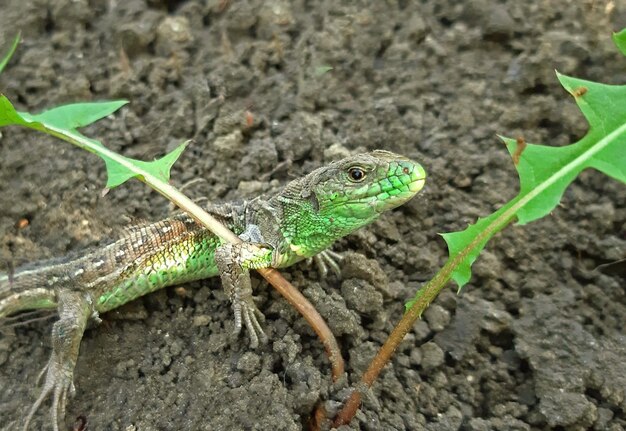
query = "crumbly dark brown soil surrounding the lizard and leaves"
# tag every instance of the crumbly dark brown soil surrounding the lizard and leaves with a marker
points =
(536, 341)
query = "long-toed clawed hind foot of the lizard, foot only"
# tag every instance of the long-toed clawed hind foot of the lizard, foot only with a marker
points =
(59, 383)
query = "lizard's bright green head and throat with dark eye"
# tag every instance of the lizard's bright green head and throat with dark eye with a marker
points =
(337, 199)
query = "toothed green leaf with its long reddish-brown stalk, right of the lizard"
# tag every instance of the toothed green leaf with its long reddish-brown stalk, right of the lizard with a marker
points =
(544, 173)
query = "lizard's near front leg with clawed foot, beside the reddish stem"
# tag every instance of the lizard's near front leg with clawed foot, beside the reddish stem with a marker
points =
(234, 262)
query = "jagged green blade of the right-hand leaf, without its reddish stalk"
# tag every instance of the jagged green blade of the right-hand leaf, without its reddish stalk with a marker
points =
(545, 172)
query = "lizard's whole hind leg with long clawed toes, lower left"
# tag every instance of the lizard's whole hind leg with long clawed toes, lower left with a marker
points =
(74, 312)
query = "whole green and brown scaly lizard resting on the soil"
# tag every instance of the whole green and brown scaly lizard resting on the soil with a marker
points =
(301, 221)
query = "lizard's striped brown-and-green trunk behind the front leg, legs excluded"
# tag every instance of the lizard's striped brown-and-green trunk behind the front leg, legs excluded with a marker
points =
(146, 258)
